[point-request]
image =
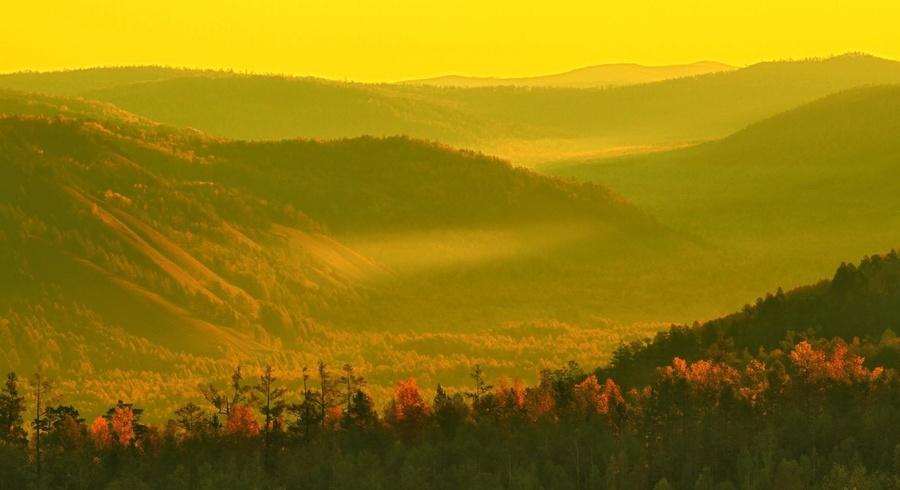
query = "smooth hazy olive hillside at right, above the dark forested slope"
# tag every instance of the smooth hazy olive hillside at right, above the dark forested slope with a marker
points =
(791, 195)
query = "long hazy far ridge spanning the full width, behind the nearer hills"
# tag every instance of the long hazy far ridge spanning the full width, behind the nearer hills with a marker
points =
(525, 124)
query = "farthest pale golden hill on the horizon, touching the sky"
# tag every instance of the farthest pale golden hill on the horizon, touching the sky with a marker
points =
(599, 76)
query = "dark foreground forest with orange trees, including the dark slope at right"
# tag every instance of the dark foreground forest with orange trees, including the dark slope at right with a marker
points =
(803, 414)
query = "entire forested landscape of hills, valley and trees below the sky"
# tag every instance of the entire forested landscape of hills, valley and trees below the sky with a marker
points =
(212, 279)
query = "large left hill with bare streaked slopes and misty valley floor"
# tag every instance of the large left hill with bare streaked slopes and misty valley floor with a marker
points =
(134, 252)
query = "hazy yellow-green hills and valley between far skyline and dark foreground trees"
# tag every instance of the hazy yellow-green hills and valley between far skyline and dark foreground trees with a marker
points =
(299, 249)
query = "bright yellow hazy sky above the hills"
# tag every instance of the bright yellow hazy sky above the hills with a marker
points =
(382, 40)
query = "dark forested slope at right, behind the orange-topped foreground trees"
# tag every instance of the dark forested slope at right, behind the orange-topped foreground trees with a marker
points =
(860, 302)
